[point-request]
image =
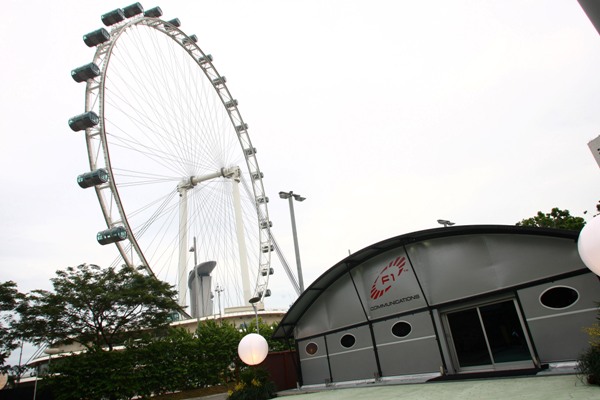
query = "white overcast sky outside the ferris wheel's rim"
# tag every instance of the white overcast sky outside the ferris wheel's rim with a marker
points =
(386, 115)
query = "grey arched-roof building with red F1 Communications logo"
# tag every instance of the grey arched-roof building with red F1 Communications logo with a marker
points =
(446, 301)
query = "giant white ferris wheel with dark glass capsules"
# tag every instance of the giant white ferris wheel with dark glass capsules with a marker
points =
(171, 160)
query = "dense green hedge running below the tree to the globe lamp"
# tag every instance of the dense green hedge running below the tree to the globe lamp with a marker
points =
(150, 366)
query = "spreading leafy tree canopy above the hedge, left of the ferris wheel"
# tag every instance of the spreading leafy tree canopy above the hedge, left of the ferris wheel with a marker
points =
(96, 307)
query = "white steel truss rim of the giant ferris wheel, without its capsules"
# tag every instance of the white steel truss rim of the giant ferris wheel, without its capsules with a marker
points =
(95, 98)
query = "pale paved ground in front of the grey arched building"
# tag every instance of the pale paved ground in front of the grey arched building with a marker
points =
(555, 387)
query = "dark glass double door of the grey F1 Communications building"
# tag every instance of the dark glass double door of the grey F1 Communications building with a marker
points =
(489, 336)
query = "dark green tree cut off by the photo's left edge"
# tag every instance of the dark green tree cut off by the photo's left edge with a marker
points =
(9, 297)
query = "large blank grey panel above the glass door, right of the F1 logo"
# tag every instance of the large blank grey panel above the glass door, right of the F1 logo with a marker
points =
(457, 267)
